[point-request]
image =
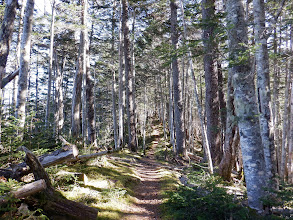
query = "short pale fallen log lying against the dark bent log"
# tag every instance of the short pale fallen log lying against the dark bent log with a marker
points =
(27, 190)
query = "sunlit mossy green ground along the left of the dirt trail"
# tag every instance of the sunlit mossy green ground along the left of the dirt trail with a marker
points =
(111, 180)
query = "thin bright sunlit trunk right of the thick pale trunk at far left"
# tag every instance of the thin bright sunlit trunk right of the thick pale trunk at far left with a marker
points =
(50, 66)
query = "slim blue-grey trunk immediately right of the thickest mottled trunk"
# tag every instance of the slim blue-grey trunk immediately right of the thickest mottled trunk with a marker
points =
(263, 85)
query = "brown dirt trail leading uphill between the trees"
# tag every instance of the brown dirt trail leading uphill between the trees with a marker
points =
(147, 192)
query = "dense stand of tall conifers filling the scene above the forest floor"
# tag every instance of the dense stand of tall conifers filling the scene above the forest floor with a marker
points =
(216, 74)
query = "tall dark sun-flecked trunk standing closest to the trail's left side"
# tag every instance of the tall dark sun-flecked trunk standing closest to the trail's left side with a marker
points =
(132, 143)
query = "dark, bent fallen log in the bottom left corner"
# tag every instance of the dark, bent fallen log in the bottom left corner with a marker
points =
(55, 206)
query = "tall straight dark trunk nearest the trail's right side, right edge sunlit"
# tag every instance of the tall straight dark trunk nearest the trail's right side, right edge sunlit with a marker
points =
(178, 107)
